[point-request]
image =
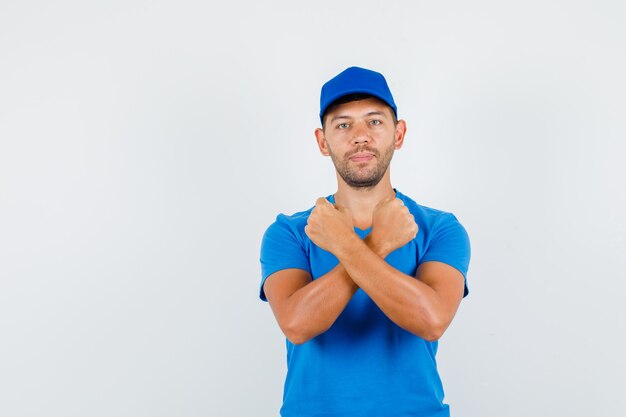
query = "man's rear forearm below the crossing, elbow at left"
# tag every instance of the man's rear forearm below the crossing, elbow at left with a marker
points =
(312, 309)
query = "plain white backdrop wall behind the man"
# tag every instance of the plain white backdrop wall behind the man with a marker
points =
(146, 145)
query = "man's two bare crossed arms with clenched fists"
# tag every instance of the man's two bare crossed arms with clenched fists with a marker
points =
(424, 305)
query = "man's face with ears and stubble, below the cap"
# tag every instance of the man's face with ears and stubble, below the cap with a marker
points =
(360, 137)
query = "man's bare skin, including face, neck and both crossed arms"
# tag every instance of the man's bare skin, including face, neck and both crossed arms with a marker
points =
(360, 137)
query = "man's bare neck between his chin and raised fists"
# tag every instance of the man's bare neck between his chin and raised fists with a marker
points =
(361, 201)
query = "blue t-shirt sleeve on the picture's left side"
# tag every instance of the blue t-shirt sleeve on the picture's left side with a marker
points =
(281, 248)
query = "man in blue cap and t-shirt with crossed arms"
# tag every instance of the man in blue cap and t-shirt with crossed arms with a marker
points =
(364, 283)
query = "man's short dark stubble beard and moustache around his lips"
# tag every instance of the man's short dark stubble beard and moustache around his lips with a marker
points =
(357, 178)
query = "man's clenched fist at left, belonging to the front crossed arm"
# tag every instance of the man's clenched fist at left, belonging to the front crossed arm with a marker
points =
(330, 226)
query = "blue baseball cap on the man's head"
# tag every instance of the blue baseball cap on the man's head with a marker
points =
(352, 81)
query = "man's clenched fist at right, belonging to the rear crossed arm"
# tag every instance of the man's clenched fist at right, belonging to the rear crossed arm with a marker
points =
(393, 226)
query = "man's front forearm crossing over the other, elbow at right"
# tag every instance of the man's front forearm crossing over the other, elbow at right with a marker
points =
(408, 302)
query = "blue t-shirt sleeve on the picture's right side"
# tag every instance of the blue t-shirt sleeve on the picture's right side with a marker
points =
(450, 244)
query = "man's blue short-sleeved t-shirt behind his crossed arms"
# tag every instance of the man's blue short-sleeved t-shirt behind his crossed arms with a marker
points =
(364, 364)
